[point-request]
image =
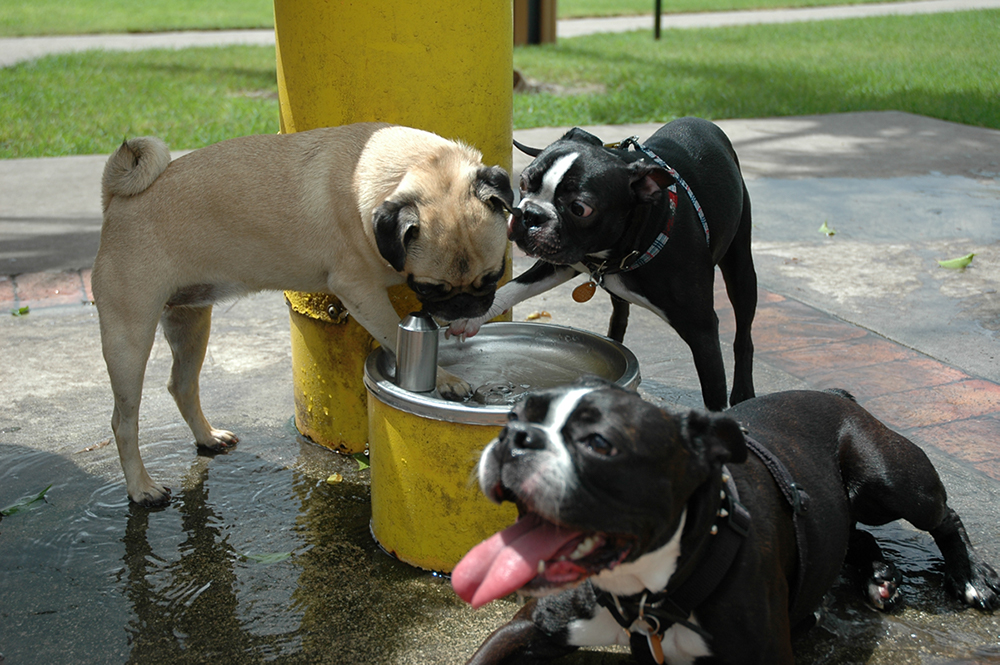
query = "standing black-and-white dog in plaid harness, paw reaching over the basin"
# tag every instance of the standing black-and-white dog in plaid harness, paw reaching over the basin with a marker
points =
(648, 223)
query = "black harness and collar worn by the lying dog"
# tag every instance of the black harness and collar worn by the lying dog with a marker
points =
(648, 615)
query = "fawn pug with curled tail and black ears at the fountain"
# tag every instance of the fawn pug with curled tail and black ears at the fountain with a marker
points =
(349, 210)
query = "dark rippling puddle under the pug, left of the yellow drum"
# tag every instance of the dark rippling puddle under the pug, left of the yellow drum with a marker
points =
(252, 561)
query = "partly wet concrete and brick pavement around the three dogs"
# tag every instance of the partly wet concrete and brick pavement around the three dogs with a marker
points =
(87, 578)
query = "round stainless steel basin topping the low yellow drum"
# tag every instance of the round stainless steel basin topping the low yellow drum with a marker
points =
(503, 361)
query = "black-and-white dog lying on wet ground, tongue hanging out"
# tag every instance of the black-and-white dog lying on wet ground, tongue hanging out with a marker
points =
(696, 535)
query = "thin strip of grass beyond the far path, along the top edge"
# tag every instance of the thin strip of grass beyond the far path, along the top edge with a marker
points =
(59, 17)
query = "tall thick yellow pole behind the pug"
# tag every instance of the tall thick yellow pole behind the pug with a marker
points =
(441, 66)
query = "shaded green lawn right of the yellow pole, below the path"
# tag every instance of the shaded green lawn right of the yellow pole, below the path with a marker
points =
(945, 66)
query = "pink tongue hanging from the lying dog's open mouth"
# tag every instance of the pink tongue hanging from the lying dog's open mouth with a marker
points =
(507, 560)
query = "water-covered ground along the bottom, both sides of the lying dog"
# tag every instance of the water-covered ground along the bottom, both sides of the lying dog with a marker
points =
(259, 559)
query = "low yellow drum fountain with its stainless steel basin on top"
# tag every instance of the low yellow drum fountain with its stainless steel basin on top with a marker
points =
(427, 509)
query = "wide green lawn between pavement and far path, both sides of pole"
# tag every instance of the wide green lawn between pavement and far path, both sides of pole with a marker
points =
(945, 66)
